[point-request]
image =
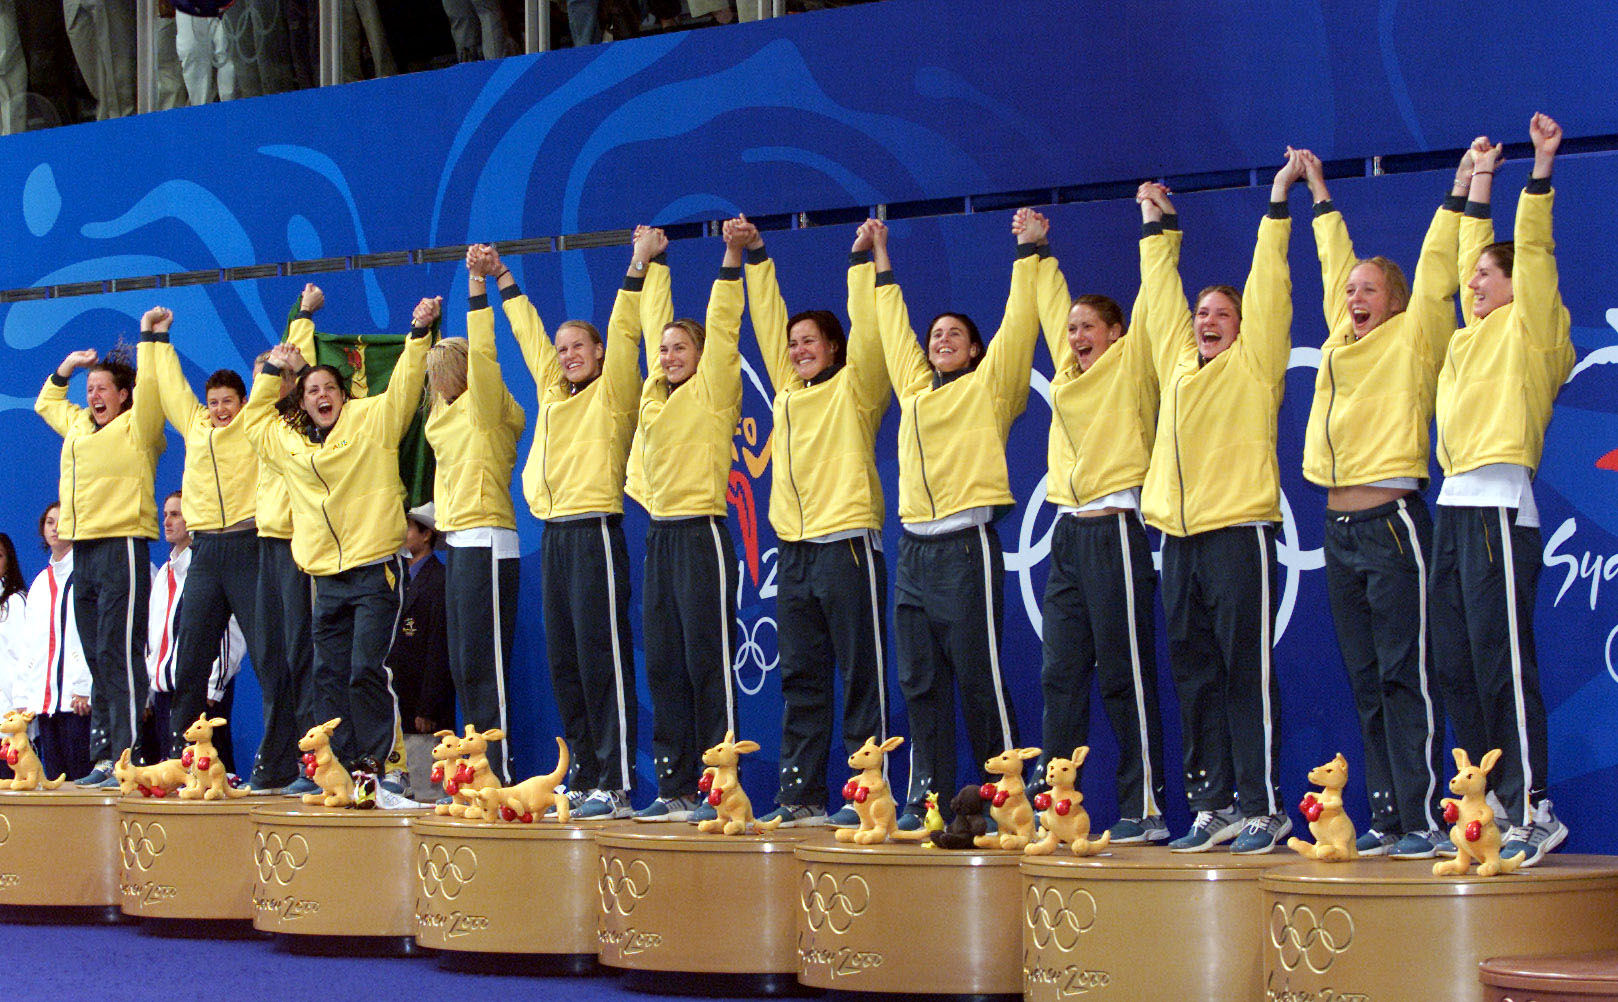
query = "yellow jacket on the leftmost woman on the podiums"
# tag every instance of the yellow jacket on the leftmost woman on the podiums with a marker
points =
(108, 473)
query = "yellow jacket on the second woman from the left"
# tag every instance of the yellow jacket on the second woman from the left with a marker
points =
(221, 477)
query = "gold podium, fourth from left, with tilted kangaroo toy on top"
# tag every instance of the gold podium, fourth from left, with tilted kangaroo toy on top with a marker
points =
(477, 885)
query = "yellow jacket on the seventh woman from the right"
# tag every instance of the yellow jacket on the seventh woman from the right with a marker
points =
(682, 452)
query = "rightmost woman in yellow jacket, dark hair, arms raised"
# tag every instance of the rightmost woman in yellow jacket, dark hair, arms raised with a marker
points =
(1496, 394)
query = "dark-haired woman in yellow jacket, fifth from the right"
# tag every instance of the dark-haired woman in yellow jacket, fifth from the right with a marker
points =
(957, 404)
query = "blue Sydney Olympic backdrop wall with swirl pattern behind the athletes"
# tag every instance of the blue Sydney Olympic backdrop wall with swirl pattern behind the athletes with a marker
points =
(829, 114)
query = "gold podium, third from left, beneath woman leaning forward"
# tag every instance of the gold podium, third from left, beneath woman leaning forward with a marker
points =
(331, 880)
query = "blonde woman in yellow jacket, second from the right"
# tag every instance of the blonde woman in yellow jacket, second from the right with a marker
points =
(1368, 446)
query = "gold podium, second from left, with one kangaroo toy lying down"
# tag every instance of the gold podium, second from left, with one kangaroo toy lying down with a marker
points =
(187, 860)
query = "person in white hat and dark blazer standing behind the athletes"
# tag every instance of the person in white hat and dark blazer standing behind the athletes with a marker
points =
(420, 660)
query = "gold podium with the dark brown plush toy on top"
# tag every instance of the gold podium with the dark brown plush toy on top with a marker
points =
(904, 919)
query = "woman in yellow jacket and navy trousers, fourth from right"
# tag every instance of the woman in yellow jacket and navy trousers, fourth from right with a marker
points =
(1098, 609)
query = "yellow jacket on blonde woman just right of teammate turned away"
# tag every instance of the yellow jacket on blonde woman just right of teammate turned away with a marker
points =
(582, 441)
